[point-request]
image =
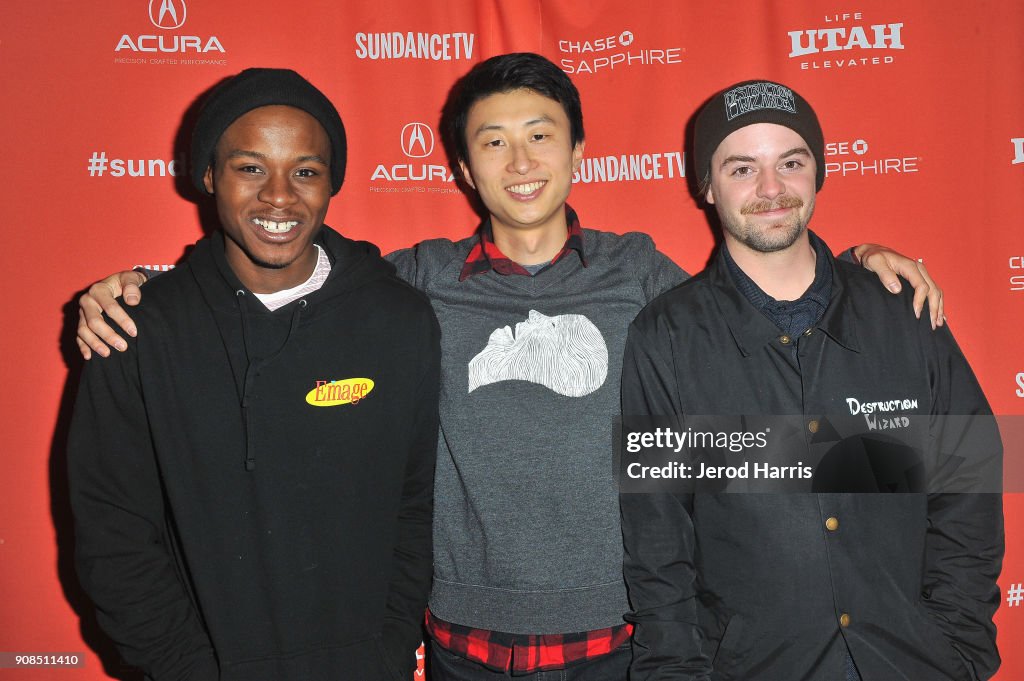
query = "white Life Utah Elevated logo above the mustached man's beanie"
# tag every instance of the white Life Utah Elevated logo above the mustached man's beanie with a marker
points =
(846, 41)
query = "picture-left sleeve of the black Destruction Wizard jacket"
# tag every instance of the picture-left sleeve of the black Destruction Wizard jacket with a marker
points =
(659, 539)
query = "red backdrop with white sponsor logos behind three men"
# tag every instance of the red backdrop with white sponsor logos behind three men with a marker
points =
(921, 102)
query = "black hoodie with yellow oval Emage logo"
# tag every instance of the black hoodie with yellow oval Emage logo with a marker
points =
(252, 490)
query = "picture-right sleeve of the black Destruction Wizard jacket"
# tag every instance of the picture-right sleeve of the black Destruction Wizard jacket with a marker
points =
(965, 543)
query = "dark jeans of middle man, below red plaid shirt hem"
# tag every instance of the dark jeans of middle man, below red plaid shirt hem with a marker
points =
(445, 666)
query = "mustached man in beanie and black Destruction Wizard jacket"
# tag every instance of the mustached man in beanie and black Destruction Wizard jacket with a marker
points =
(824, 587)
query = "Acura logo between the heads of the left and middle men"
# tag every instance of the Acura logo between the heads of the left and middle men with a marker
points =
(419, 172)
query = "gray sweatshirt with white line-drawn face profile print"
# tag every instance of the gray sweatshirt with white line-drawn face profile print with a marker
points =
(527, 530)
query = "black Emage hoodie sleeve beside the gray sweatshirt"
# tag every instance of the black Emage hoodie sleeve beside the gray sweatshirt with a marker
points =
(413, 565)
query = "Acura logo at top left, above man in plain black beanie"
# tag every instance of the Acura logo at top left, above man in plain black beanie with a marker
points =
(168, 16)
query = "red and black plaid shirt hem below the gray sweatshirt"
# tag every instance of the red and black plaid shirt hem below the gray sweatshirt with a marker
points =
(526, 654)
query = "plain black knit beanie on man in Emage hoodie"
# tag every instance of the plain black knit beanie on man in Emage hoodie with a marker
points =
(265, 88)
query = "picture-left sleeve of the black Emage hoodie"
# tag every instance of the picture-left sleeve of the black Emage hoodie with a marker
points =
(122, 550)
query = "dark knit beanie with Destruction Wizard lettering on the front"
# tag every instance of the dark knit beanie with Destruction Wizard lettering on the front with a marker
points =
(755, 102)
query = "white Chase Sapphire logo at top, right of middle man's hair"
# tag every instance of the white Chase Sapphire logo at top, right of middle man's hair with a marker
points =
(621, 51)
